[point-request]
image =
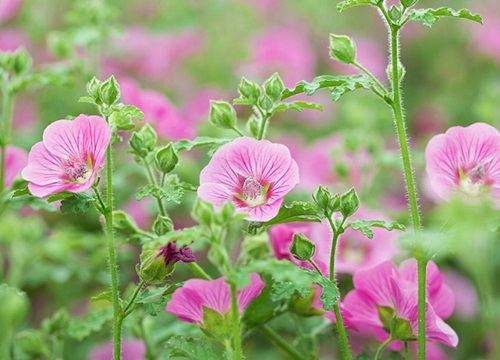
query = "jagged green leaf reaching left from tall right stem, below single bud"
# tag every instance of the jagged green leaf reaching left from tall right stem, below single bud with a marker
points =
(339, 85)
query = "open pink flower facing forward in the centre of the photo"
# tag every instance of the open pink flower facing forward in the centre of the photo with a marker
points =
(255, 175)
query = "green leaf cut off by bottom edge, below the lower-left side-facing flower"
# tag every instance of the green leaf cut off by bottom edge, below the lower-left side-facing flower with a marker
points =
(191, 348)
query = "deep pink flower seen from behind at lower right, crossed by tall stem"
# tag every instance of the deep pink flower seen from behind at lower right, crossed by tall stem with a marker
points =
(395, 290)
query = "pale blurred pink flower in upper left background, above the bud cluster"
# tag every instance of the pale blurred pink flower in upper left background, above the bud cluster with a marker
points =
(153, 56)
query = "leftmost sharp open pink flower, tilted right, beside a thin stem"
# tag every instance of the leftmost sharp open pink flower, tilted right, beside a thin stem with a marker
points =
(68, 157)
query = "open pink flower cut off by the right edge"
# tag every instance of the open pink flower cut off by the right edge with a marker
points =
(465, 160)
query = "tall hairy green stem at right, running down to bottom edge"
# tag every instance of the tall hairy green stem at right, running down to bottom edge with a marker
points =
(397, 107)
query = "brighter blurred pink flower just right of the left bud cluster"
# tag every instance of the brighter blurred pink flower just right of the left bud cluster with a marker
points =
(158, 110)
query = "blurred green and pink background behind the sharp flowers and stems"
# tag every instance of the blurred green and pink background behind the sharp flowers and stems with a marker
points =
(170, 58)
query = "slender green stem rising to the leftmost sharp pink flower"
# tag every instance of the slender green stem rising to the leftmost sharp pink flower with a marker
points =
(113, 264)
